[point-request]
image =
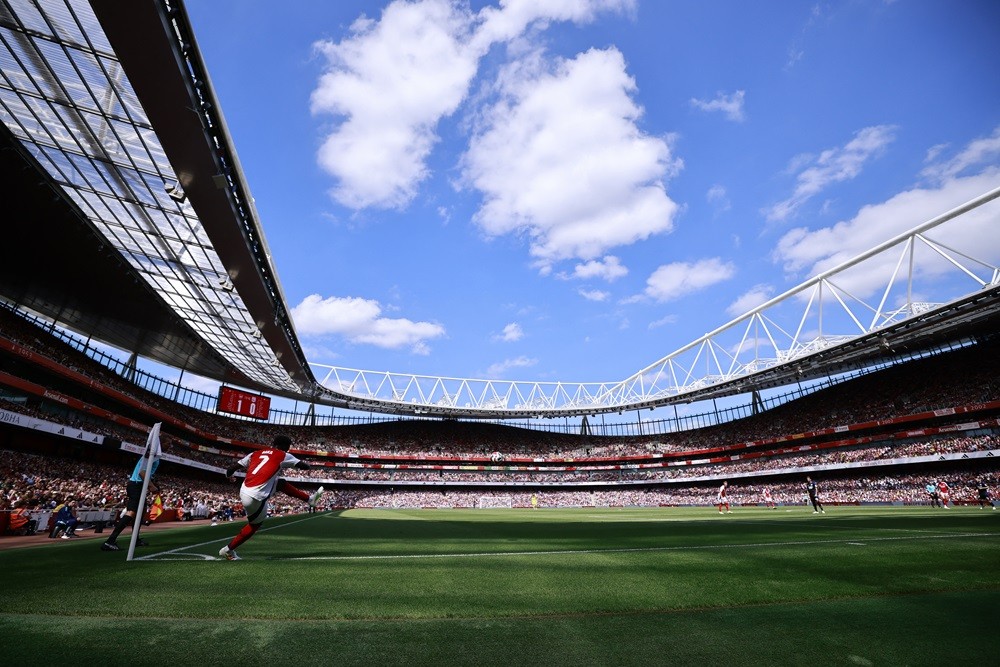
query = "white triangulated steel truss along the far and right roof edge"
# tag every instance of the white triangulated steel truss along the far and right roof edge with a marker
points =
(938, 262)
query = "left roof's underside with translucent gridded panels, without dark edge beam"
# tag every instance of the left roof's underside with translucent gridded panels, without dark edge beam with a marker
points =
(87, 146)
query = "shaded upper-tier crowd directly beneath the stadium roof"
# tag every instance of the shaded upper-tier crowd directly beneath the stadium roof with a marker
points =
(966, 376)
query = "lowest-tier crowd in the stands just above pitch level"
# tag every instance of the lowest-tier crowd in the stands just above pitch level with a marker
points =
(39, 482)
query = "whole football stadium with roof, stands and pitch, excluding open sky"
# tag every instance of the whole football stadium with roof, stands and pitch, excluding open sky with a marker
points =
(814, 481)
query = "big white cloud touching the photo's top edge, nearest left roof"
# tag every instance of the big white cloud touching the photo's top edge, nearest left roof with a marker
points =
(391, 81)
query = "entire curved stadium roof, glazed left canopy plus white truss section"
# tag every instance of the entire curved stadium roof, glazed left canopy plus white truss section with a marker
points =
(134, 225)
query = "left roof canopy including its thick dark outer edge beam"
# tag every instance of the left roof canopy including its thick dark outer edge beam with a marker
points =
(144, 238)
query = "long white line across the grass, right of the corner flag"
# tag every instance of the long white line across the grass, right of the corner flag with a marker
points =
(693, 547)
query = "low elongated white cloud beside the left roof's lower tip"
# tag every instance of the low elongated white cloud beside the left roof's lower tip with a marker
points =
(360, 321)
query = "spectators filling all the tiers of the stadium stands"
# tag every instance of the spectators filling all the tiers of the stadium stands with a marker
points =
(455, 457)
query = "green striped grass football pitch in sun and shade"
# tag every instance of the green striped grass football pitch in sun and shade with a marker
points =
(671, 586)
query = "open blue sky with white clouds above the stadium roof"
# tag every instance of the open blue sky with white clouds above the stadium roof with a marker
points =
(571, 190)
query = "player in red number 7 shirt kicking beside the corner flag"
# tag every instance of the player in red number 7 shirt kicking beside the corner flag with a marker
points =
(261, 481)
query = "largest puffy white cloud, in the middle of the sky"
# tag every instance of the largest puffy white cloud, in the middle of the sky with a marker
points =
(560, 160)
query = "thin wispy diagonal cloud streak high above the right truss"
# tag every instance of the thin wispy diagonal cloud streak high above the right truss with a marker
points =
(832, 166)
